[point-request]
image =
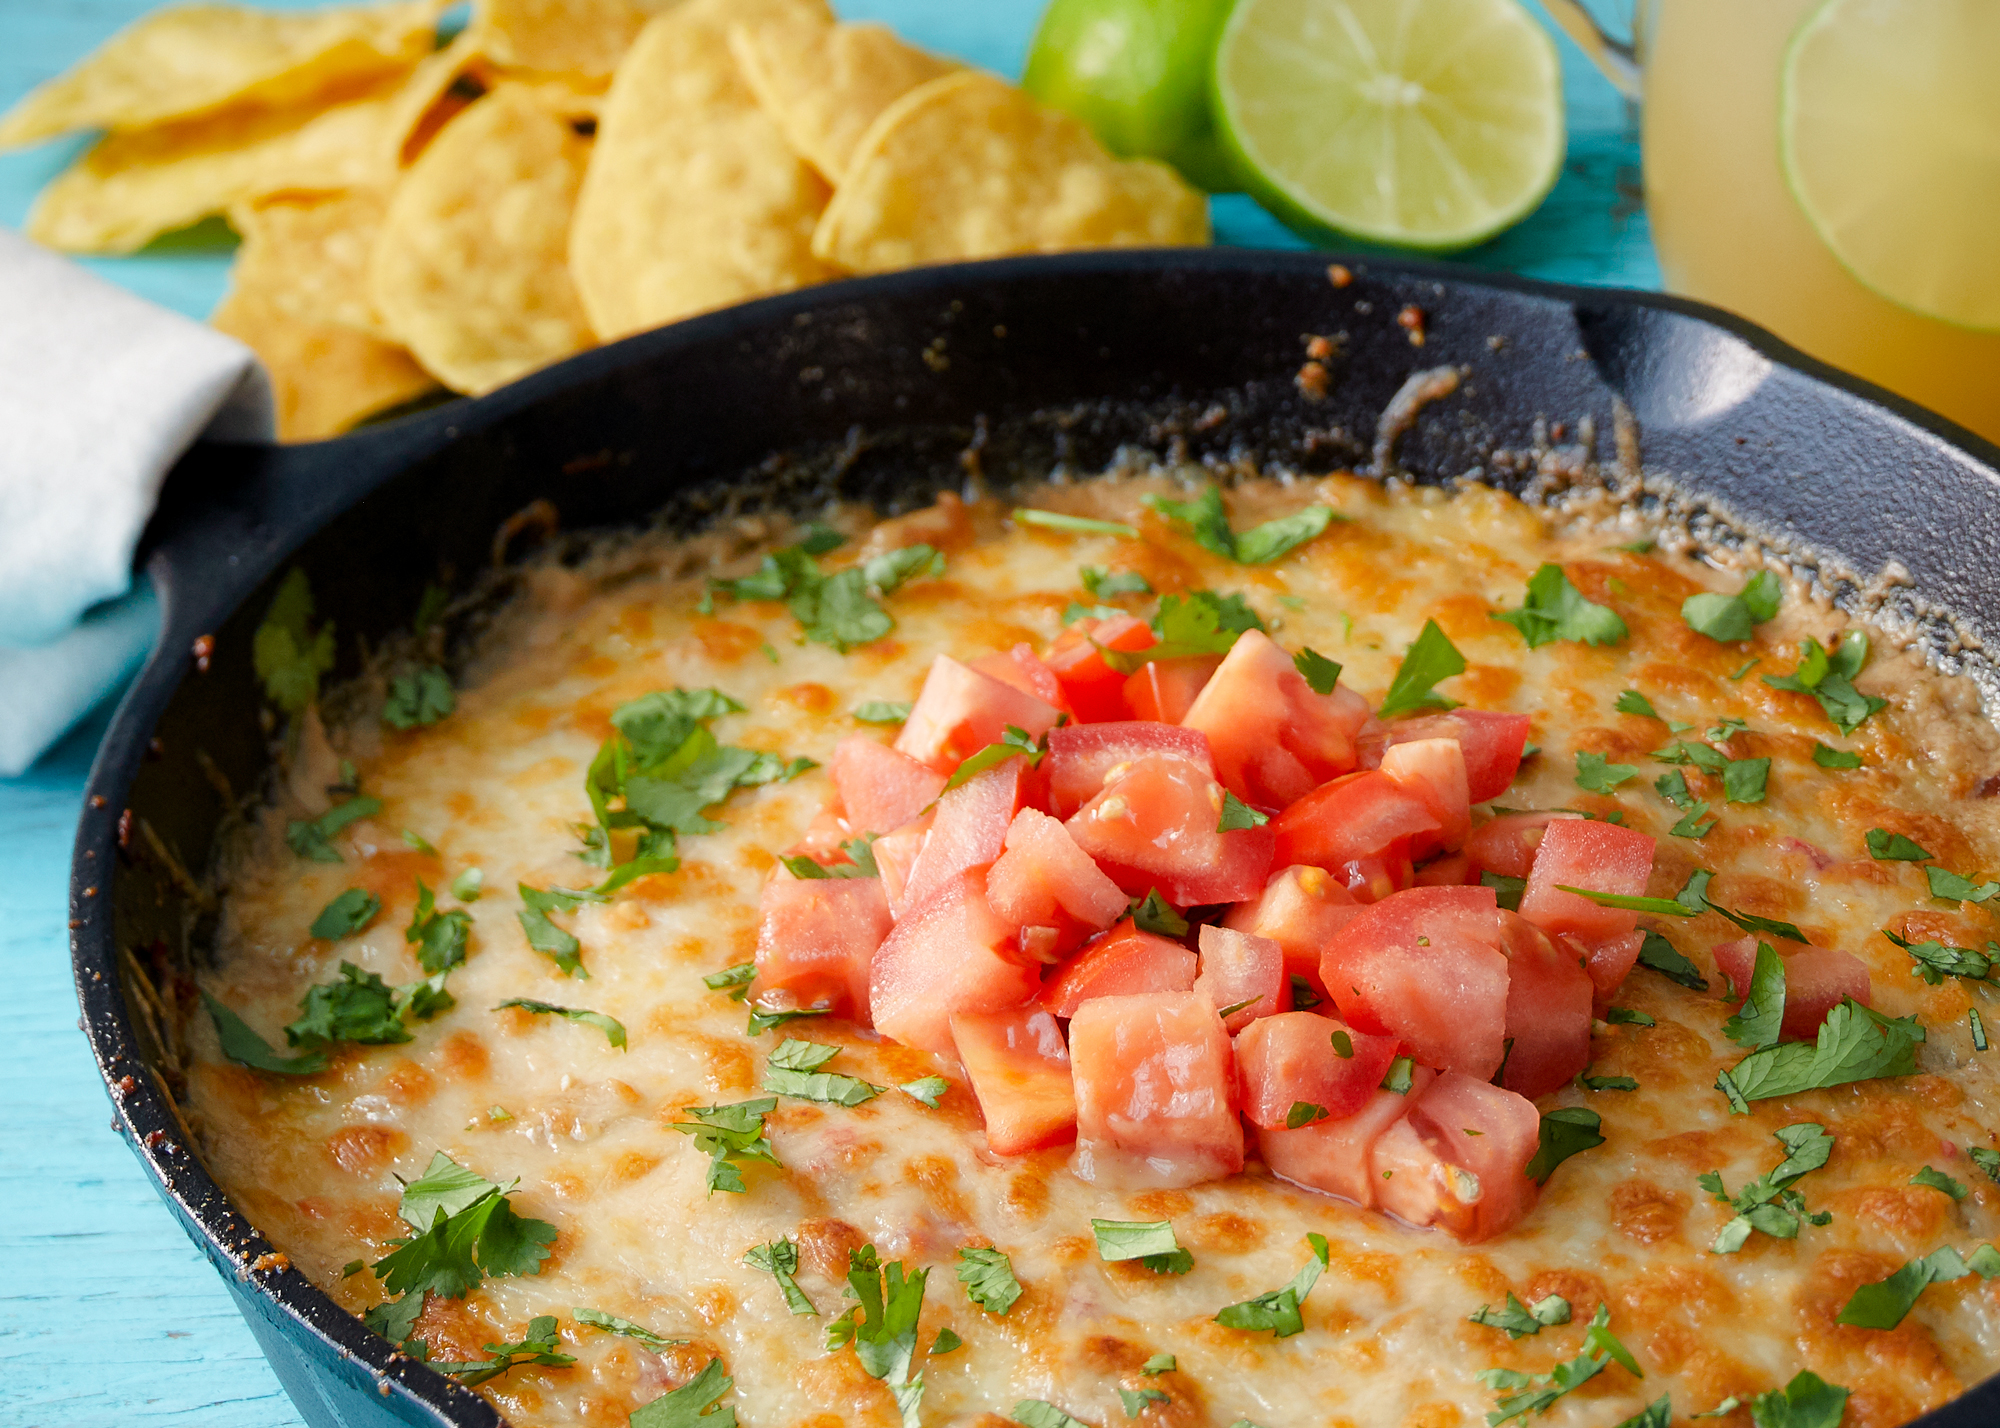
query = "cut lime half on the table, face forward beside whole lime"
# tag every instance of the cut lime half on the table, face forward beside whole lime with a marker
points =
(1413, 123)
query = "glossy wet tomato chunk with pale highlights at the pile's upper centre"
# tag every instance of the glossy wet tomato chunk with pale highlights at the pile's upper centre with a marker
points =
(1157, 827)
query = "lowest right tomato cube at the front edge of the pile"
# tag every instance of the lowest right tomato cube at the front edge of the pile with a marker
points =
(1459, 1159)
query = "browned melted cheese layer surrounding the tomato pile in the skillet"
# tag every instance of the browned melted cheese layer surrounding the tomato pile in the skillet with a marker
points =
(585, 1127)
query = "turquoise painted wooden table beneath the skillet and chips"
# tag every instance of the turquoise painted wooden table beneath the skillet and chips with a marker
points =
(109, 1315)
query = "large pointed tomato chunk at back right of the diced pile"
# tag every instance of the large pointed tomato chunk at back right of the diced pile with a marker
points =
(1273, 737)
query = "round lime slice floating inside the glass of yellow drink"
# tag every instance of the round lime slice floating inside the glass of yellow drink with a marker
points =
(1889, 125)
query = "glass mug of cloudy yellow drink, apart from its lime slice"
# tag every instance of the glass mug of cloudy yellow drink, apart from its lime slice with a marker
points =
(1725, 223)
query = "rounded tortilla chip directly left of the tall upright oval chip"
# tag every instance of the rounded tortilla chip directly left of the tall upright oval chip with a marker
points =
(473, 263)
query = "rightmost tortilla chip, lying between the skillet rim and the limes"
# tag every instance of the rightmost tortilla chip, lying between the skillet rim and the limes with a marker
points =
(971, 167)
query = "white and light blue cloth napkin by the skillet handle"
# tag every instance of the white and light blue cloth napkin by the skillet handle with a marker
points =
(101, 393)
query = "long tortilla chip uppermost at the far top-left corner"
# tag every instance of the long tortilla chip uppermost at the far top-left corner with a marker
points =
(197, 59)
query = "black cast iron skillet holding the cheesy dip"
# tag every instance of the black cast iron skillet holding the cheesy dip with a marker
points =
(885, 391)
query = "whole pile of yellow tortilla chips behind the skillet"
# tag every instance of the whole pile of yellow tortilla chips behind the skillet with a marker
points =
(421, 213)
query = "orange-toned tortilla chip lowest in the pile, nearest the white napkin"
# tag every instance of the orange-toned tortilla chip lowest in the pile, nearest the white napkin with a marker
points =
(327, 379)
